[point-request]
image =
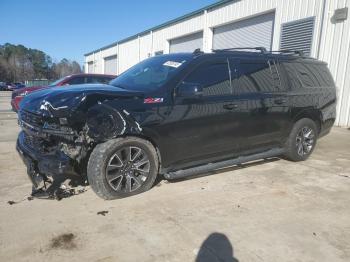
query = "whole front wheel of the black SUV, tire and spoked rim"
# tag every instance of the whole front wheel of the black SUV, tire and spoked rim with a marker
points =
(122, 167)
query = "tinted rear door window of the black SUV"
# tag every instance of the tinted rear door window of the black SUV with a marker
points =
(256, 77)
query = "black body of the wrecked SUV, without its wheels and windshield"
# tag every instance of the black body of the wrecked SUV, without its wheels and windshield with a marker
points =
(253, 110)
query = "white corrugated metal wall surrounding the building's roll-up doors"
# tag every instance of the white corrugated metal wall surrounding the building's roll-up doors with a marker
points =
(330, 43)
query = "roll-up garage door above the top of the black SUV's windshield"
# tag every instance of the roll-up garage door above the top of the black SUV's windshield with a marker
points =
(187, 43)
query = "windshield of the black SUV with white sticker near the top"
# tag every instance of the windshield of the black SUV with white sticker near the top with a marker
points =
(151, 73)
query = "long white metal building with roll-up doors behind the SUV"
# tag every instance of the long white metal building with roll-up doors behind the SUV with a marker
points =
(321, 28)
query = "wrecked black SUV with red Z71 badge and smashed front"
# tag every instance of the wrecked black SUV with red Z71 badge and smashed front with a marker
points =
(178, 115)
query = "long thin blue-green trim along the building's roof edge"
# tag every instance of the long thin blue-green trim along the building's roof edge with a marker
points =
(173, 21)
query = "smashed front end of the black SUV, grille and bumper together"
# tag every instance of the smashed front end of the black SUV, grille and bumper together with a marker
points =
(50, 149)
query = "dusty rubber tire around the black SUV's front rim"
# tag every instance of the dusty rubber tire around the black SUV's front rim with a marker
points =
(101, 159)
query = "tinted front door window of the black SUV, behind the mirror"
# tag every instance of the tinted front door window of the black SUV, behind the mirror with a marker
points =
(214, 77)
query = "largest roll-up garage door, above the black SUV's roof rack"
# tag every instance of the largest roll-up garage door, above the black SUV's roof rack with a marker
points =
(252, 32)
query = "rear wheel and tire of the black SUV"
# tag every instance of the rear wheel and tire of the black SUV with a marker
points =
(294, 148)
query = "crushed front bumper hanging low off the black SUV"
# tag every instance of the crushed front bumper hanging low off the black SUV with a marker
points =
(40, 166)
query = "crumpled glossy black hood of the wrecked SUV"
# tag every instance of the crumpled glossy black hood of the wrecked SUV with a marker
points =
(58, 100)
